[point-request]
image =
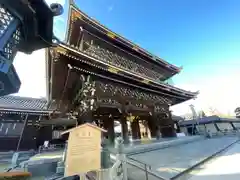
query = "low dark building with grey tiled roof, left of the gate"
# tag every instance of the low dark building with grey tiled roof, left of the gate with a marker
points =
(20, 122)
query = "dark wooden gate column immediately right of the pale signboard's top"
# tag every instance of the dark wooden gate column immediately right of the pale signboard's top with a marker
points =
(108, 124)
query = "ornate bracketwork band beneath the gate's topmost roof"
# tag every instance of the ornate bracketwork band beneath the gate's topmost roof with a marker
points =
(120, 61)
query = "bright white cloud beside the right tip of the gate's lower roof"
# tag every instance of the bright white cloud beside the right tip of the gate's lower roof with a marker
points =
(221, 92)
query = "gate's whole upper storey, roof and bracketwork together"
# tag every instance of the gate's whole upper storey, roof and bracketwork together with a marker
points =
(97, 41)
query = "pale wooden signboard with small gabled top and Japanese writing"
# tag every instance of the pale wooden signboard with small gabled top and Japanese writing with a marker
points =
(84, 149)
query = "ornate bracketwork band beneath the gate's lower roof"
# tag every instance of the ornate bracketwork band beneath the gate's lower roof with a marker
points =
(112, 89)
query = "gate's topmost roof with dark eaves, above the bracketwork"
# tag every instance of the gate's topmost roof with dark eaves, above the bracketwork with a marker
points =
(79, 25)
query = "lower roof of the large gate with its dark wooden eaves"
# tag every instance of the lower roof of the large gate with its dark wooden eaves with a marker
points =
(66, 65)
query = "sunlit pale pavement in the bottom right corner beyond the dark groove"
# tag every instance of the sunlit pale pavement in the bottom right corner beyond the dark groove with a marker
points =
(224, 167)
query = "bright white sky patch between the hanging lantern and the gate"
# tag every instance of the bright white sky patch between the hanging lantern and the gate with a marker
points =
(31, 71)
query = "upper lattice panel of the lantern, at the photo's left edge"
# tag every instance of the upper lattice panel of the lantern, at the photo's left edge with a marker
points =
(5, 19)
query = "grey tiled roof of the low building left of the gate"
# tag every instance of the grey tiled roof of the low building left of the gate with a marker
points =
(22, 103)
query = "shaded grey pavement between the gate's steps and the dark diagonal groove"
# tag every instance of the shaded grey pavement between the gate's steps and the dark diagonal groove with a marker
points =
(171, 161)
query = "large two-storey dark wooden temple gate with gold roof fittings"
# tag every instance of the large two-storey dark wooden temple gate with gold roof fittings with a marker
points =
(98, 76)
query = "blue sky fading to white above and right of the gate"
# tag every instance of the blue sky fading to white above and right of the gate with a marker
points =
(203, 36)
